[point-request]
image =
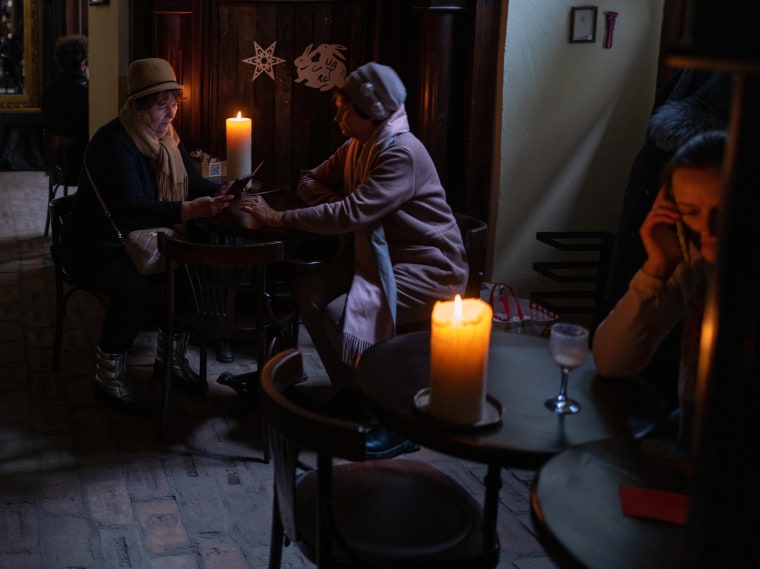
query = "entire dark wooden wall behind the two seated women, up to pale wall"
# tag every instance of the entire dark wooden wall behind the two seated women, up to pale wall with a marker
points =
(446, 52)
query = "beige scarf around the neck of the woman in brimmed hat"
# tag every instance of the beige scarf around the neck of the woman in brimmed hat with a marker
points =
(163, 152)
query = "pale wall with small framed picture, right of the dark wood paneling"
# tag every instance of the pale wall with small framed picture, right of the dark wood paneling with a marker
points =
(573, 116)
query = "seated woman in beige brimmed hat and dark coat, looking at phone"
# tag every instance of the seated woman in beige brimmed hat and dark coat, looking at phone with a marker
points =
(145, 176)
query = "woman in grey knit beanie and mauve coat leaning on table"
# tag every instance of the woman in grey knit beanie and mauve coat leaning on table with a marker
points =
(381, 187)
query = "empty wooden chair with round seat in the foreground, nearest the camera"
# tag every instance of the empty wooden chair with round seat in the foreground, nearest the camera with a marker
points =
(397, 513)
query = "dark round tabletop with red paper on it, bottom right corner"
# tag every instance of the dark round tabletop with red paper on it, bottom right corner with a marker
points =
(577, 509)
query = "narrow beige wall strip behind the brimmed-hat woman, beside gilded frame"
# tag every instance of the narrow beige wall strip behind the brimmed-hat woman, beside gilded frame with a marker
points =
(108, 32)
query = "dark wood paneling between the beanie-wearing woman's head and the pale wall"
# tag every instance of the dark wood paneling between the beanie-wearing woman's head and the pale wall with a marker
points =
(469, 40)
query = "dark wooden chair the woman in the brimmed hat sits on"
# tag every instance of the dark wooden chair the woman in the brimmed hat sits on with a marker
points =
(58, 213)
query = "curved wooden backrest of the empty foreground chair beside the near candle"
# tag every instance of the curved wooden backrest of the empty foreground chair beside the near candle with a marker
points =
(293, 427)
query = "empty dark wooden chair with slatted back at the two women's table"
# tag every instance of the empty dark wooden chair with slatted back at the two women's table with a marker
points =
(211, 276)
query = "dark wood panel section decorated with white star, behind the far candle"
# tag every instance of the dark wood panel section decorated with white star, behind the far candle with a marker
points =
(292, 122)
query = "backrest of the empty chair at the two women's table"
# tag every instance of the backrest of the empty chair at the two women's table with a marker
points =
(212, 276)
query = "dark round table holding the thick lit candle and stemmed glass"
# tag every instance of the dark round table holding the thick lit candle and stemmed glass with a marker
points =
(521, 376)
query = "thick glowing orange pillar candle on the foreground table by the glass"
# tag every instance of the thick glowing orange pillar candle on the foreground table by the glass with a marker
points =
(459, 341)
